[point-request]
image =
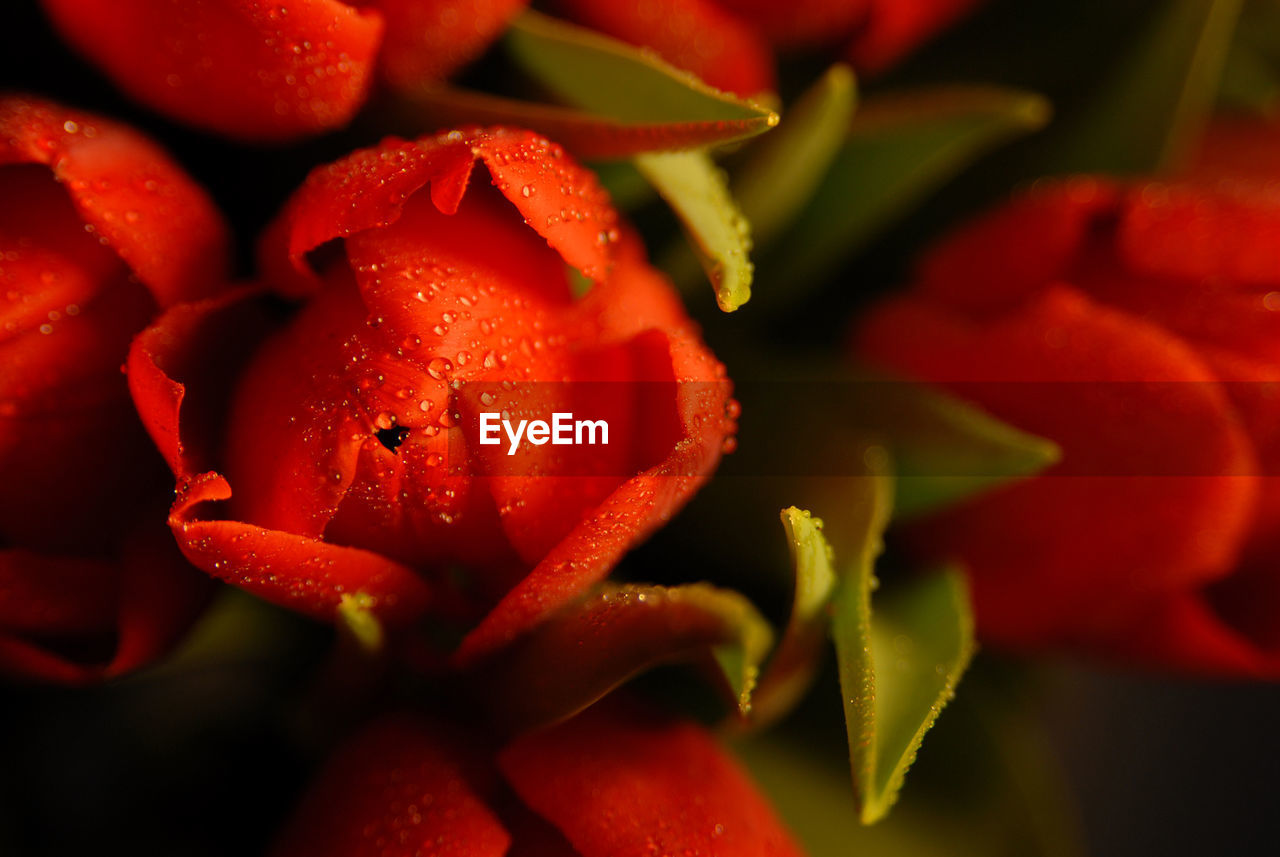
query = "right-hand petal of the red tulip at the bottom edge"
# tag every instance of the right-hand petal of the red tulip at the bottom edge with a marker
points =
(629, 785)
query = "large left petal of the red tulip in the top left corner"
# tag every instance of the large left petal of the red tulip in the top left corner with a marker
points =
(255, 70)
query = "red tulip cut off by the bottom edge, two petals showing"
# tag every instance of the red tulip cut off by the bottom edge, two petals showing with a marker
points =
(610, 783)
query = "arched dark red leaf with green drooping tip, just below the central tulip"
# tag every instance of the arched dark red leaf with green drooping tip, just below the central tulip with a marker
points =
(582, 654)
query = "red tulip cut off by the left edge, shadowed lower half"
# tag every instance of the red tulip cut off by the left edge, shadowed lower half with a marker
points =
(99, 228)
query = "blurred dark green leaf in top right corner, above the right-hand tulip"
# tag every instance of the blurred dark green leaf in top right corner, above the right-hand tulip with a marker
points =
(1150, 112)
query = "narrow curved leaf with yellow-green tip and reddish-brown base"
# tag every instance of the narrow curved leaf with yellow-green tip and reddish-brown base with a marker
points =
(792, 670)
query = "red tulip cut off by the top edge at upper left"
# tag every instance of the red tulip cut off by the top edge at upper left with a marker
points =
(275, 70)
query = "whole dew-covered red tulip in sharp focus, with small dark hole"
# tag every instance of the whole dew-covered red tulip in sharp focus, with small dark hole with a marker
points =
(351, 457)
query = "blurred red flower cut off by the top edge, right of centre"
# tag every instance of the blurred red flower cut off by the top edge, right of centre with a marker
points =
(730, 43)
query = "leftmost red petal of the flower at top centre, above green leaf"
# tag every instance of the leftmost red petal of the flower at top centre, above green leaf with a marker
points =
(698, 36)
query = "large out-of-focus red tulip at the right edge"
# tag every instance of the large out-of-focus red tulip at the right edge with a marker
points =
(1136, 326)
